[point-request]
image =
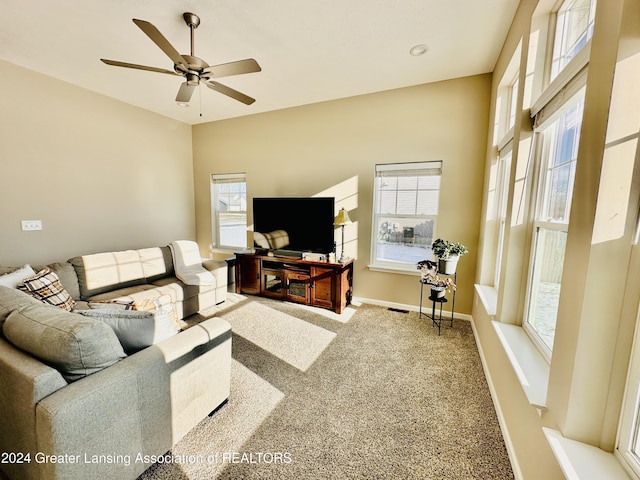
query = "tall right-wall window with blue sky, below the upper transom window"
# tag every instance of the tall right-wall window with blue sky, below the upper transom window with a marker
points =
(560, 139)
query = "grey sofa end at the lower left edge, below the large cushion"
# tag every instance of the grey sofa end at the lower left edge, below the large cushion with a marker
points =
(25, 381)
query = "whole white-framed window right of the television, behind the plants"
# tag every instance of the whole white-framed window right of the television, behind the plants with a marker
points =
(405, 200)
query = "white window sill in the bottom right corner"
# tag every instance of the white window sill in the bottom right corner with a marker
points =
(580, 461)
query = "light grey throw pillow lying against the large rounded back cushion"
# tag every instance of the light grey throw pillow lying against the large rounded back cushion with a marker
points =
(136, 329)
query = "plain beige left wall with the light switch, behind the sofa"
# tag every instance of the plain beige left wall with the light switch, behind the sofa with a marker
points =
(100, 174)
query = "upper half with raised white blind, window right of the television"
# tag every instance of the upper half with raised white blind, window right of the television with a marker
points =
(408, 188)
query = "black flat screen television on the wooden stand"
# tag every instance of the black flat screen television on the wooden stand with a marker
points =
(308, 221)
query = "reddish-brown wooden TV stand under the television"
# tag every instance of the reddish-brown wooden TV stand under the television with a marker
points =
(321, 284)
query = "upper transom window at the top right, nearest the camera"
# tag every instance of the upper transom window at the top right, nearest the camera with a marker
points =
(574, 28)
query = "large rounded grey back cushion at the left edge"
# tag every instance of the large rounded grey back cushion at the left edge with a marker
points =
(75, 345)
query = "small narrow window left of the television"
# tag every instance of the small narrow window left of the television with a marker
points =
(229, 210)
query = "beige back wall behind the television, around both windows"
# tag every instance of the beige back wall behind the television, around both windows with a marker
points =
(332, 147)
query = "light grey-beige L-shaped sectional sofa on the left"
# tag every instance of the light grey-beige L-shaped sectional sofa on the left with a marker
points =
(74, 405)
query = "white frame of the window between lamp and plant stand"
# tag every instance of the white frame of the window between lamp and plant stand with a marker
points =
(408, 266)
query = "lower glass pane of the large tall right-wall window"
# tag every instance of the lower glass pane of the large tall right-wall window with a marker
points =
(545, 285)
